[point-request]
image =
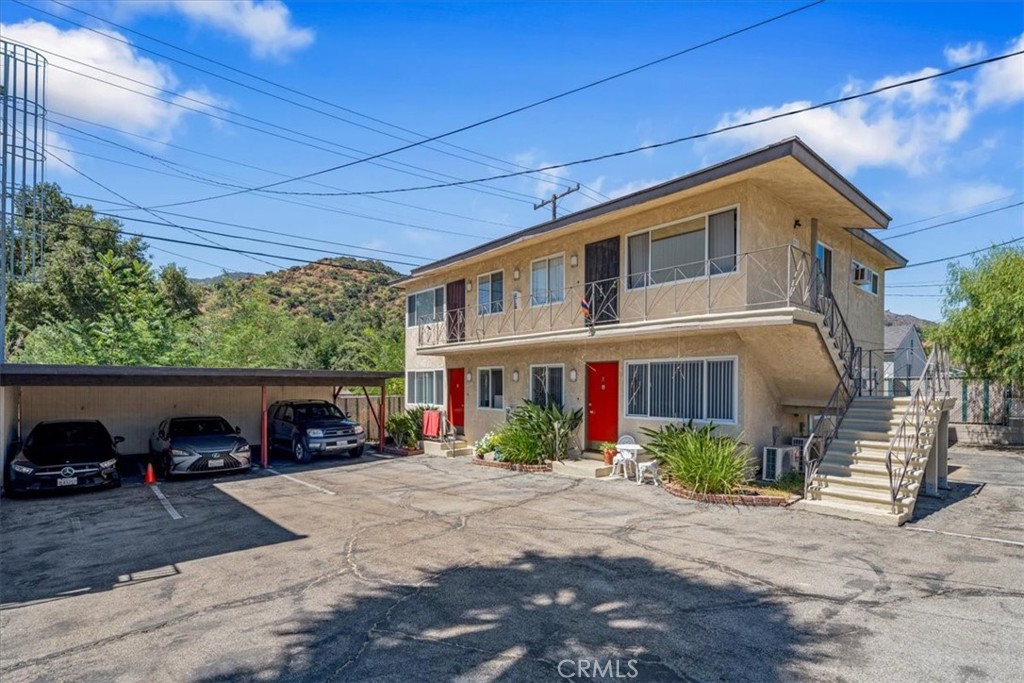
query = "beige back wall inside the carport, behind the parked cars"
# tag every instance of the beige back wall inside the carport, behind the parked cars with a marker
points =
(136, 412)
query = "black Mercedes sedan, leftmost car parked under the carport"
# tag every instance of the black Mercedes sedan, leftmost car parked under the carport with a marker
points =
(66, 455)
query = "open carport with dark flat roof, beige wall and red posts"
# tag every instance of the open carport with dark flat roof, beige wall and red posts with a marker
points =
(132, 401)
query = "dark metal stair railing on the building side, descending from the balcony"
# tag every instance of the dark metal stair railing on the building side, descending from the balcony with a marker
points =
(849, 388)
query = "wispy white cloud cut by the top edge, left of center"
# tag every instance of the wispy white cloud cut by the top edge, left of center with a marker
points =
(267, 27)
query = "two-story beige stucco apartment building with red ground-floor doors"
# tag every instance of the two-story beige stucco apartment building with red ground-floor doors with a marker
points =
(696, 300)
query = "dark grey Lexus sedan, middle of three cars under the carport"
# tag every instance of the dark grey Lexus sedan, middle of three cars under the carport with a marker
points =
(197, 445)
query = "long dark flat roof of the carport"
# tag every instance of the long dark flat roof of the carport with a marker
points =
(39, 375)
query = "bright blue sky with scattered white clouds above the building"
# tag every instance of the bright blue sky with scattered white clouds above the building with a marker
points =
(938, 152)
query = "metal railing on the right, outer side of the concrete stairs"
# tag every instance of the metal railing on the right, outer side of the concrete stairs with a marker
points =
(932, 387)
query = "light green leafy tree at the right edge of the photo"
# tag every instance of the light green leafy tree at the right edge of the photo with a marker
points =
(985, 316)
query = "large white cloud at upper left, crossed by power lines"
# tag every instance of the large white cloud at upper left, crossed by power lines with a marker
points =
(82, 97)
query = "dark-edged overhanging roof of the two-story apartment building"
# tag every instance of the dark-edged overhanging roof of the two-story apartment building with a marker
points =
(792, 147)
